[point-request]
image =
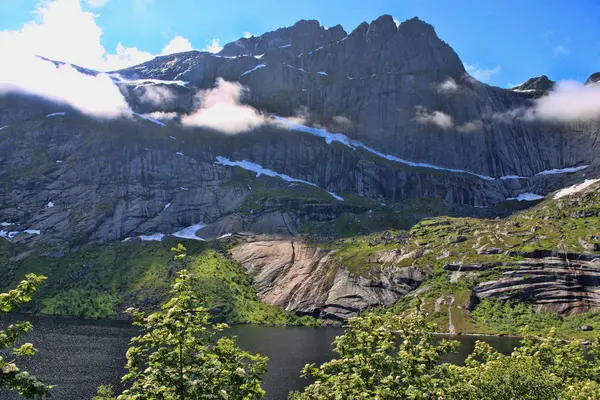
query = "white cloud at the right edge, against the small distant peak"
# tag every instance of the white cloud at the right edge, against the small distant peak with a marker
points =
(569, 101)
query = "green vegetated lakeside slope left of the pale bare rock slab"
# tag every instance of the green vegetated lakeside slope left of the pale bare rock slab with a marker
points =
(100, 281)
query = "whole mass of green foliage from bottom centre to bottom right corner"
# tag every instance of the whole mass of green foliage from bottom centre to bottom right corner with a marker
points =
(374, 363)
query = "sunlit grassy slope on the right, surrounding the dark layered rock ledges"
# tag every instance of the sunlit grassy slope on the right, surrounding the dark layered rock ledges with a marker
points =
(571, 223)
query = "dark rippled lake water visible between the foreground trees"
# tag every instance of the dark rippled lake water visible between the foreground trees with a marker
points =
(78, 355)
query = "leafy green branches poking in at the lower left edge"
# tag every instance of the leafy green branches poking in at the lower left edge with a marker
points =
(11, 377)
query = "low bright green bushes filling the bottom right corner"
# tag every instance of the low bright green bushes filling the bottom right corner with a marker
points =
(537, 369)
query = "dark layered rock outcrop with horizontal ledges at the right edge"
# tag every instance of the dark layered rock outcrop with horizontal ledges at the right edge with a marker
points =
(552, 281)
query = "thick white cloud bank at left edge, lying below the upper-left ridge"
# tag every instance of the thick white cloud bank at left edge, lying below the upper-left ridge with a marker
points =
(94, 95)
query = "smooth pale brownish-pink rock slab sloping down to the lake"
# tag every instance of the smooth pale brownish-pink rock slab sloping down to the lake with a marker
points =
(296, 277)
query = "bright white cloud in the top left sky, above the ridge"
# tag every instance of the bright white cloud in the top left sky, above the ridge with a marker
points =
(63, 31)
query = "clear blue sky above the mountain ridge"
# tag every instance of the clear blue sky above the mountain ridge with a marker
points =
(504, 42)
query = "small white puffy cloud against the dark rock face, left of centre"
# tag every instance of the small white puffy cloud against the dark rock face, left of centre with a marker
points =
(221, 109)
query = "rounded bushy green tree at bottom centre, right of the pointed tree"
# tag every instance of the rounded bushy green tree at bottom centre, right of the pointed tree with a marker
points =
(380, 357)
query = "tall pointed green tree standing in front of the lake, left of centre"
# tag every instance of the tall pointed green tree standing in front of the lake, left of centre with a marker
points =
(178, 356)
